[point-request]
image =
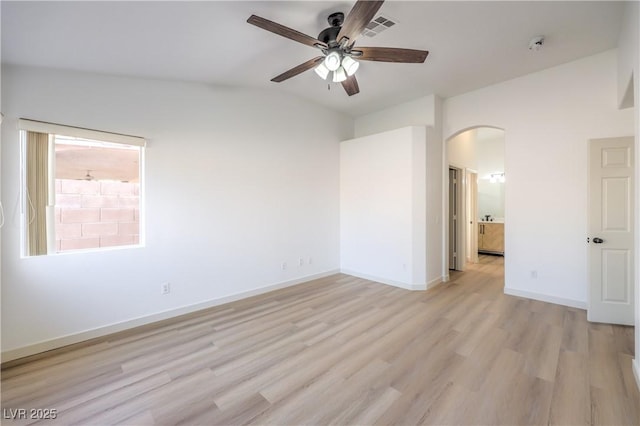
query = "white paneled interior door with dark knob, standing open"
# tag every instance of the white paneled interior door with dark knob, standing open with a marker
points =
(611, 206)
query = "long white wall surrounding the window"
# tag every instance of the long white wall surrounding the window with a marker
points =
(237, 182)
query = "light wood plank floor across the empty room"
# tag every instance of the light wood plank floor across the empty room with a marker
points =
(344, 350)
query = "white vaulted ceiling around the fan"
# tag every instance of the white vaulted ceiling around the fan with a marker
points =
(471, 44)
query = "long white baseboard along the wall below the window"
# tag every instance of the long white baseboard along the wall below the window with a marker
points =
(70, 339)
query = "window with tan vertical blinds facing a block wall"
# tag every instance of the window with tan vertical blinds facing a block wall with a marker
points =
(82, 189)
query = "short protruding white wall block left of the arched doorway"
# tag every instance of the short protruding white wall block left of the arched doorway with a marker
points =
(383, 207)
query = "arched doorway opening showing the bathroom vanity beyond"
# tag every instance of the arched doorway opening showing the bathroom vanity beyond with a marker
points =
(476, 197)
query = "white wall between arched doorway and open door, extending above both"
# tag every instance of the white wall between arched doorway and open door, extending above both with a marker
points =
(548, 118)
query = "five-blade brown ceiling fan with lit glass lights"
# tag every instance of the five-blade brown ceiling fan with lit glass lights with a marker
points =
(337, 46)
